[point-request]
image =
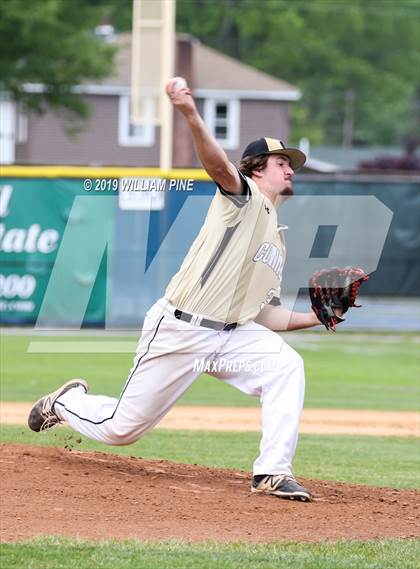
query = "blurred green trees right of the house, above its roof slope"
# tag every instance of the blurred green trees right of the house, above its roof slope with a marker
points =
(356, 63)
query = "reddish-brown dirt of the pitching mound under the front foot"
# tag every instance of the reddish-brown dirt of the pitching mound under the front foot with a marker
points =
(96, 495)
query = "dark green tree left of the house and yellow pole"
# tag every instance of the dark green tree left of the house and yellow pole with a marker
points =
(51, 42)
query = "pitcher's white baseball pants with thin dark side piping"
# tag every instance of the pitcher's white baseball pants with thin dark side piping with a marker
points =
(168, 358)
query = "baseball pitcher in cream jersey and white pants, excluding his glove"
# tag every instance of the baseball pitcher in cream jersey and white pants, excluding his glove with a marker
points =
(223, 306)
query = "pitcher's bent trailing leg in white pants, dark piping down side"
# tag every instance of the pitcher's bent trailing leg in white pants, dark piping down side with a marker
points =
(162, 371)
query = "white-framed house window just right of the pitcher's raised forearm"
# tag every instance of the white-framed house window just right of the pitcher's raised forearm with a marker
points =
(222, 119)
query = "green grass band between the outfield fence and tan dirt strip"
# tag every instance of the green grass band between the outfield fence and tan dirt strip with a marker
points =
(343, 370)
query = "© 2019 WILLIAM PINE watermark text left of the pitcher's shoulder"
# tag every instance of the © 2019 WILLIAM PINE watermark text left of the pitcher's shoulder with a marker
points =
(137, 185)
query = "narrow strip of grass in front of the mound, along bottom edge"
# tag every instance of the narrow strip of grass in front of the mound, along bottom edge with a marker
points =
(58, 553)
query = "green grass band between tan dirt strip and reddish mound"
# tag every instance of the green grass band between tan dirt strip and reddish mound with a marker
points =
(376, 461)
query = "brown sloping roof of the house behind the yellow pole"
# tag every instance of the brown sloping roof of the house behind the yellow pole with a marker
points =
(212, 71)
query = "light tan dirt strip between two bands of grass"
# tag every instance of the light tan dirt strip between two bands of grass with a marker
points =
(315, 421)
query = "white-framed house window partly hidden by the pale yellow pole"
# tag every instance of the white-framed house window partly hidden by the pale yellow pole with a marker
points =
(130, 134)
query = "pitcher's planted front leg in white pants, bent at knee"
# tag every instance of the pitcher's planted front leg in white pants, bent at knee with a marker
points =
(273, 371)
